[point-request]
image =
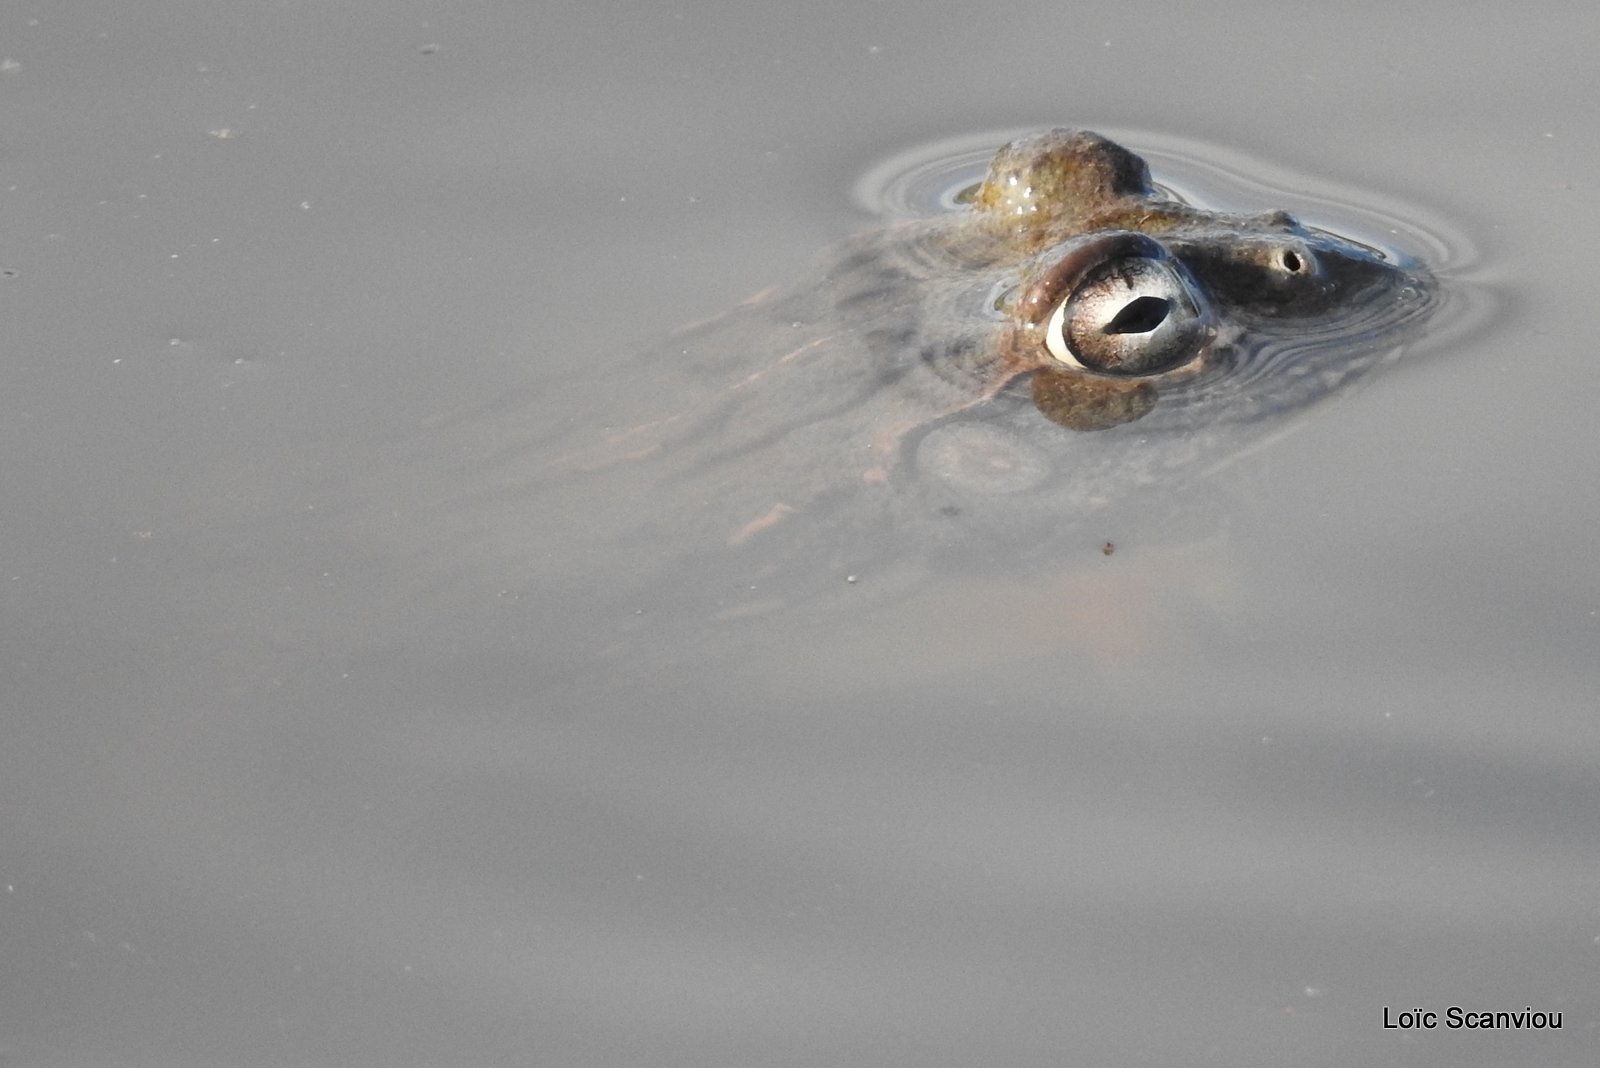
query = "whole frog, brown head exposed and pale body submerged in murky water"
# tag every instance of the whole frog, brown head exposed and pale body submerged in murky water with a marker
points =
(993, 373)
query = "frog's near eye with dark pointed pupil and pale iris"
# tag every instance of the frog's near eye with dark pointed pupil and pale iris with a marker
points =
(1135, 316)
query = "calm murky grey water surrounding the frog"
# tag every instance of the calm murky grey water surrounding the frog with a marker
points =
(282, 784)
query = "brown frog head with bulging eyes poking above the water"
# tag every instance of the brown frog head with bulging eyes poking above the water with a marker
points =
(1126, 293)
